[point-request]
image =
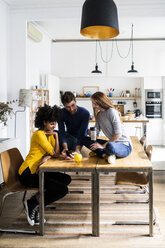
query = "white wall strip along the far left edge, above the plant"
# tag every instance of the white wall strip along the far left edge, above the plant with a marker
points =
(4, 13)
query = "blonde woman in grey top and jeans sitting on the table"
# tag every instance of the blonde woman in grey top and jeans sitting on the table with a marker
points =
(108, 120)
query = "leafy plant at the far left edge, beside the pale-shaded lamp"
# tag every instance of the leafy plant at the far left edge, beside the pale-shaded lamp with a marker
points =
(5, 112)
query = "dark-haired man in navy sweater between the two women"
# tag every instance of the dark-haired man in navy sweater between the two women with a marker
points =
(73, 125)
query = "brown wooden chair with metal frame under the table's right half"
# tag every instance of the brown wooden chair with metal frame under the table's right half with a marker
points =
(135, 179)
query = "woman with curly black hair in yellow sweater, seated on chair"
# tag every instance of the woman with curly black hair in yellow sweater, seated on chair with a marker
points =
(44, 145)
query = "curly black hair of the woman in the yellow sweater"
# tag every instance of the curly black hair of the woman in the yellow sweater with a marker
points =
(47, 114)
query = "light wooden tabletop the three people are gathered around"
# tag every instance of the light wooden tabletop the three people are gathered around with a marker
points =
(136, 160)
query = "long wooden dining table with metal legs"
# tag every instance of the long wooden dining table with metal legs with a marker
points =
(137, 161)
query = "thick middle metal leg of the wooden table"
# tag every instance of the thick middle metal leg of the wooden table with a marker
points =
(95, 204)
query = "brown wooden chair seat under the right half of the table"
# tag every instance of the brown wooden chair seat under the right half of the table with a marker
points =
(131, 178)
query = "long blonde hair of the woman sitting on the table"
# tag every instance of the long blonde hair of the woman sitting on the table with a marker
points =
(102, 101)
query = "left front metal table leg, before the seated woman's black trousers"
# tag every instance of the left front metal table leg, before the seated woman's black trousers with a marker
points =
(41, 205)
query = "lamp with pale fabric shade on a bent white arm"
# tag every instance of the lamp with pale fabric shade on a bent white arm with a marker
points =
(25, 99)
